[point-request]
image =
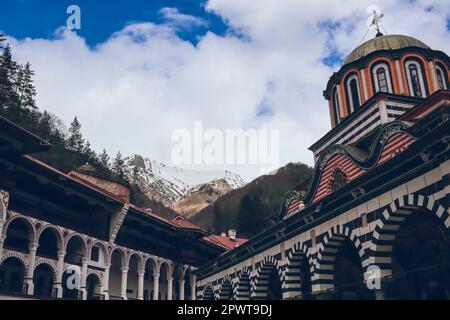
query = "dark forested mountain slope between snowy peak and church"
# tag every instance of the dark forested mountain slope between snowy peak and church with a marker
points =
(247, 209)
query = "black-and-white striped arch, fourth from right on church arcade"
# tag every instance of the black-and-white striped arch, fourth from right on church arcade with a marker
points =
(260, 285)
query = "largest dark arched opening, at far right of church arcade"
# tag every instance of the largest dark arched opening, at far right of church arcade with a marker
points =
(420, 259)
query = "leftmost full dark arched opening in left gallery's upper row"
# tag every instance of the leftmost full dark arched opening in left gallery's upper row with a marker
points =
(18, 236)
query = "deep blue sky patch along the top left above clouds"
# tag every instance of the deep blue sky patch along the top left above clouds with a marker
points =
(100, 18)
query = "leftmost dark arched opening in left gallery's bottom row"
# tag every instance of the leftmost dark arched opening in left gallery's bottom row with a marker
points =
(12, 272)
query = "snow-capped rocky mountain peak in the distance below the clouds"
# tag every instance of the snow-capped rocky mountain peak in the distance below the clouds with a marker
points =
(170, 185)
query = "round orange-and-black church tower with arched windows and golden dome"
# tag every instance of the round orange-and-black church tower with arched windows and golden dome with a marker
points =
(379, 81)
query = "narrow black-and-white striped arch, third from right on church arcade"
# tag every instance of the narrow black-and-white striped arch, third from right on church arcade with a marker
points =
(293, 278)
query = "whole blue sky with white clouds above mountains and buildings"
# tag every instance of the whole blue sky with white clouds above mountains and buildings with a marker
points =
(138, 70)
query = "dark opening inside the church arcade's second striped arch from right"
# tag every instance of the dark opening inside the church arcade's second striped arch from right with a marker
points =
(349, 274)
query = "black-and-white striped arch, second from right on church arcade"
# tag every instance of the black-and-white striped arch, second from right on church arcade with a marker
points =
(323, 278)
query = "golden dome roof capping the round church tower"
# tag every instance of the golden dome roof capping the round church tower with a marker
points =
(388, 42)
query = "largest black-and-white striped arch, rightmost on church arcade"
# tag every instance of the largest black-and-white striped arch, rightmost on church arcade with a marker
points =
(393, 216)
